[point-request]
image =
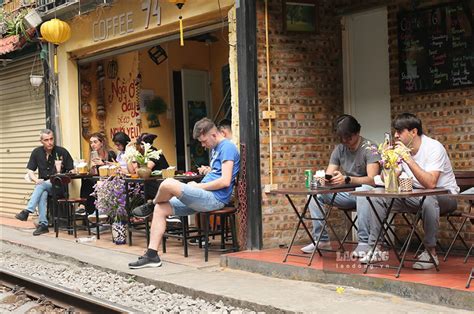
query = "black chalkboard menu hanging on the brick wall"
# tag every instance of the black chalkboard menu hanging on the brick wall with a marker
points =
(436, 48)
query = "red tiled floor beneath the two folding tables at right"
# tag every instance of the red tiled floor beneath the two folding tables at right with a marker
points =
(453, 273)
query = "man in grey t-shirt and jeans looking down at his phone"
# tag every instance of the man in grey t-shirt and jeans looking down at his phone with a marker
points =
(350, 162)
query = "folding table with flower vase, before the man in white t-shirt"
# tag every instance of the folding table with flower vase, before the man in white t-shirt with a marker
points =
(381, 193)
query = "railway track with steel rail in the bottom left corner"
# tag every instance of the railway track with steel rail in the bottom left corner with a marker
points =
(22, 289)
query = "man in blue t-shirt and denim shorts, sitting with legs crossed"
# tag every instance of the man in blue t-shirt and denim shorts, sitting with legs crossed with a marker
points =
(177, 198)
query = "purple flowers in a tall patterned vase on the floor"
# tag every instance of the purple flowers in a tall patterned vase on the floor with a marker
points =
(111, 200)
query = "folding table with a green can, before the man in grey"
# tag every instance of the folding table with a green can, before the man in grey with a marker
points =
(302, 217)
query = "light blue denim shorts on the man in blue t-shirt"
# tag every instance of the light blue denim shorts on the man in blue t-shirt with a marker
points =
(194, 200)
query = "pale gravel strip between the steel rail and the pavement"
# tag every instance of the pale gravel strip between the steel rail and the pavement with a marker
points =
(105, 285)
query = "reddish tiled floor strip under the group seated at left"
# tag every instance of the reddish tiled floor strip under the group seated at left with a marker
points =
(174, 249)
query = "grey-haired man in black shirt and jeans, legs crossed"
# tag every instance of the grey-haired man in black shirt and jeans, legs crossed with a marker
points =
(43, 159)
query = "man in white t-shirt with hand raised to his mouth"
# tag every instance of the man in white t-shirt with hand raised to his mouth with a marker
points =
(429, 166)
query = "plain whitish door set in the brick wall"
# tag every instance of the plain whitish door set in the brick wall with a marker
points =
(366, 71)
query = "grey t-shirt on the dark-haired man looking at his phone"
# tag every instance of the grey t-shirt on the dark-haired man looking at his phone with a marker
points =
(354, 163)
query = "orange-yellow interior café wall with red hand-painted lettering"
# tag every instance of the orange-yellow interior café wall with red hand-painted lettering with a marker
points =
(194, 55)
